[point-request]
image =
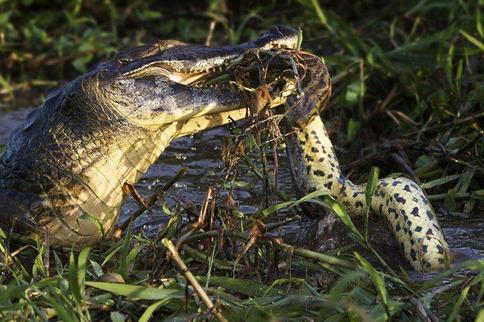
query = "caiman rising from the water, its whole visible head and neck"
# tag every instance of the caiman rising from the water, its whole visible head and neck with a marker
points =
(62, 173)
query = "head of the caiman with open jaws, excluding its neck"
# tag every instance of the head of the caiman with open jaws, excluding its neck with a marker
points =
(169, 81)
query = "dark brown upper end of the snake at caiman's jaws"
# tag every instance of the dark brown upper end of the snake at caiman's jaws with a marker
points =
(313, 90)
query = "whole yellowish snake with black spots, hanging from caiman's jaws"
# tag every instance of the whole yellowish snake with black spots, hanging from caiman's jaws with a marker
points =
(316, 167)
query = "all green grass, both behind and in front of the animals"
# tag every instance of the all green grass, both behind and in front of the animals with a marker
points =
(408, 91)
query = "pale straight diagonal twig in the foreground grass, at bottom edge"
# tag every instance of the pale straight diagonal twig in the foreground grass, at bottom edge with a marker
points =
(175, 257)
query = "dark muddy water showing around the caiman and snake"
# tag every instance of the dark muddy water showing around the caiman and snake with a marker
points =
(201, 155)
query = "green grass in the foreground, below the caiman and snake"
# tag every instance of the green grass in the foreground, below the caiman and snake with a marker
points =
(132, 278)
